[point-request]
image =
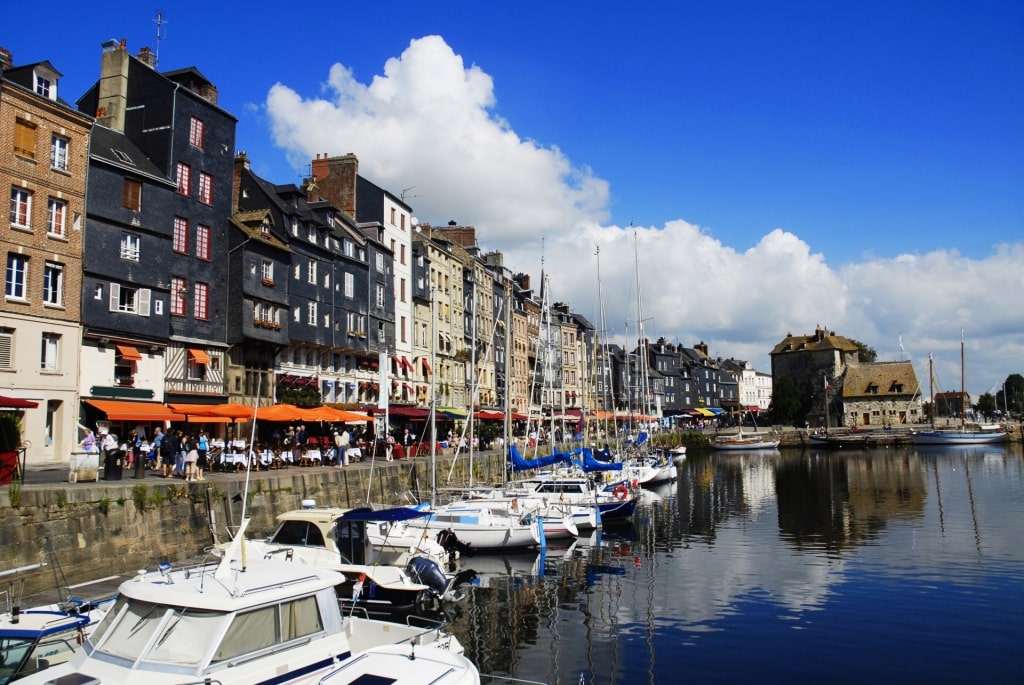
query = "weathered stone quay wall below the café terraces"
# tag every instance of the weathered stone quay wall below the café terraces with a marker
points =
(92, 531)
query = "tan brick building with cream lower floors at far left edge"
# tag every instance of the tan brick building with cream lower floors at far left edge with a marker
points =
(45, 148)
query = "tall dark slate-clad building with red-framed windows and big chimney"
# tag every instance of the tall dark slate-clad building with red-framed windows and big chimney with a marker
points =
(174, 120)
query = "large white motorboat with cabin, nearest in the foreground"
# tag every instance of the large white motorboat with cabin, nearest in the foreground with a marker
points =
(235, 623)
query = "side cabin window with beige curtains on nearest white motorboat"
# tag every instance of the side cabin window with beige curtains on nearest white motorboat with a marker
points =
(268, 627)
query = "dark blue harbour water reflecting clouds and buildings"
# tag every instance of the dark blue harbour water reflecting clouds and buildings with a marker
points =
(890, 566)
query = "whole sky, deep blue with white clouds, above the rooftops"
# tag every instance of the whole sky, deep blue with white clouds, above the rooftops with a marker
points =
(783, 165)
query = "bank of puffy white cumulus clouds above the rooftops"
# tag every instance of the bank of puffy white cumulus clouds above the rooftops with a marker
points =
(430, 126)
